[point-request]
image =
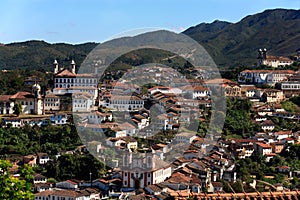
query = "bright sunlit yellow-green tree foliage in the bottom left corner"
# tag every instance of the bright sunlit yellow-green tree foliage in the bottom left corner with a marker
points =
(14, 188)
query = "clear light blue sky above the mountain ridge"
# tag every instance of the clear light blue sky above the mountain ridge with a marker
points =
(79, 21)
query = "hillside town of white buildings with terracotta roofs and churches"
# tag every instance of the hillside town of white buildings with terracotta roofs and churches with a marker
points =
(146, 134)
